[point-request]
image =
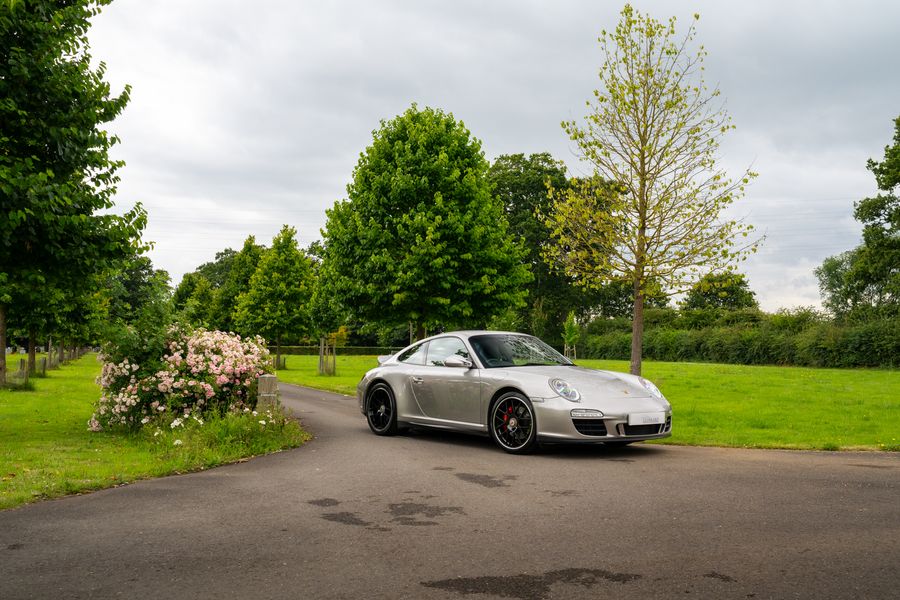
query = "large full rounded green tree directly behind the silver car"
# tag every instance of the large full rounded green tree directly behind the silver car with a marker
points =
(420, 238)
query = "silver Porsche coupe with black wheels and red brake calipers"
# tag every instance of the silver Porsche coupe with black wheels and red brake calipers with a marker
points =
(513, 387)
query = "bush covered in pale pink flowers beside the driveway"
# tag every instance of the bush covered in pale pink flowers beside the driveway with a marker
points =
(203, 371)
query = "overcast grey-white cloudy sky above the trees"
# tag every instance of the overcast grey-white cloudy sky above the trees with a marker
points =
(246, 116)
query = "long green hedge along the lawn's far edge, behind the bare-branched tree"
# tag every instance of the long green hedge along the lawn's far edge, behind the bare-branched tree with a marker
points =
(801, 337)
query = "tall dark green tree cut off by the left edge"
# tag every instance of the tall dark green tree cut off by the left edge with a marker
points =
(55, 170)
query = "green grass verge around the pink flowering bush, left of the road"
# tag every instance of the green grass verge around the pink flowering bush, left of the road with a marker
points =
(47, 451)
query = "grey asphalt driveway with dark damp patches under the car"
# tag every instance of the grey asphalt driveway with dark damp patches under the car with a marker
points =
(429, 515)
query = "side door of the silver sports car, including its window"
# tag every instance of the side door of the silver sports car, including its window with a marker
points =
(448, 393)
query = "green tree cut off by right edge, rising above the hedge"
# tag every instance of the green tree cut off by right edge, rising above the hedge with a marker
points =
(866, 280)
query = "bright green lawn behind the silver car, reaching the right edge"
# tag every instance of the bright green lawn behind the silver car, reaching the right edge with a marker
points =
(730, 405)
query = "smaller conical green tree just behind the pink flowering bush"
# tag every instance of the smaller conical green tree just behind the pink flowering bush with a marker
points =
(276, 305)
